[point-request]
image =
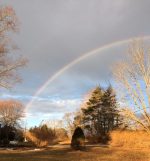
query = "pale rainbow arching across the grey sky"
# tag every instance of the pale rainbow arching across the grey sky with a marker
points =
(82, 57)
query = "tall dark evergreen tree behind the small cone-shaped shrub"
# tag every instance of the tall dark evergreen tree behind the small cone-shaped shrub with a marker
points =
(100, 114)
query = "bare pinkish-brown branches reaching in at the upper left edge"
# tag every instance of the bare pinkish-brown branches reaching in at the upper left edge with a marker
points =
(9, 63)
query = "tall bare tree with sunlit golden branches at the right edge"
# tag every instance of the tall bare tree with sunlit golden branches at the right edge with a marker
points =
(132, 76)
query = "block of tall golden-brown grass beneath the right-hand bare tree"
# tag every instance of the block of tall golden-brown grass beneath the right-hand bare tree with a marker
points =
(130, 139)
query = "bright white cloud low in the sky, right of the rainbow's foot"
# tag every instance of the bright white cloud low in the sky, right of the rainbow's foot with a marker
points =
(51, 109)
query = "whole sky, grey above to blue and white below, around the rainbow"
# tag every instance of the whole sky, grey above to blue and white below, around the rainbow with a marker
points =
(53, 33)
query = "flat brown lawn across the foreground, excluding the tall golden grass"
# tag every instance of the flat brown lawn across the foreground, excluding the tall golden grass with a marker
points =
(67, 154)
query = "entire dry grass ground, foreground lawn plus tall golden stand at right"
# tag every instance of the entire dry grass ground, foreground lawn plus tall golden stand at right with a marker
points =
(125, 146)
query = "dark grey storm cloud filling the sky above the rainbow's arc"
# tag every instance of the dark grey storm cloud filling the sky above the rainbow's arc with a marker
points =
(52, 33)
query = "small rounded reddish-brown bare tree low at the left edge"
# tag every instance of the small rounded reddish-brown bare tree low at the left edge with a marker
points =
(11, 112)
